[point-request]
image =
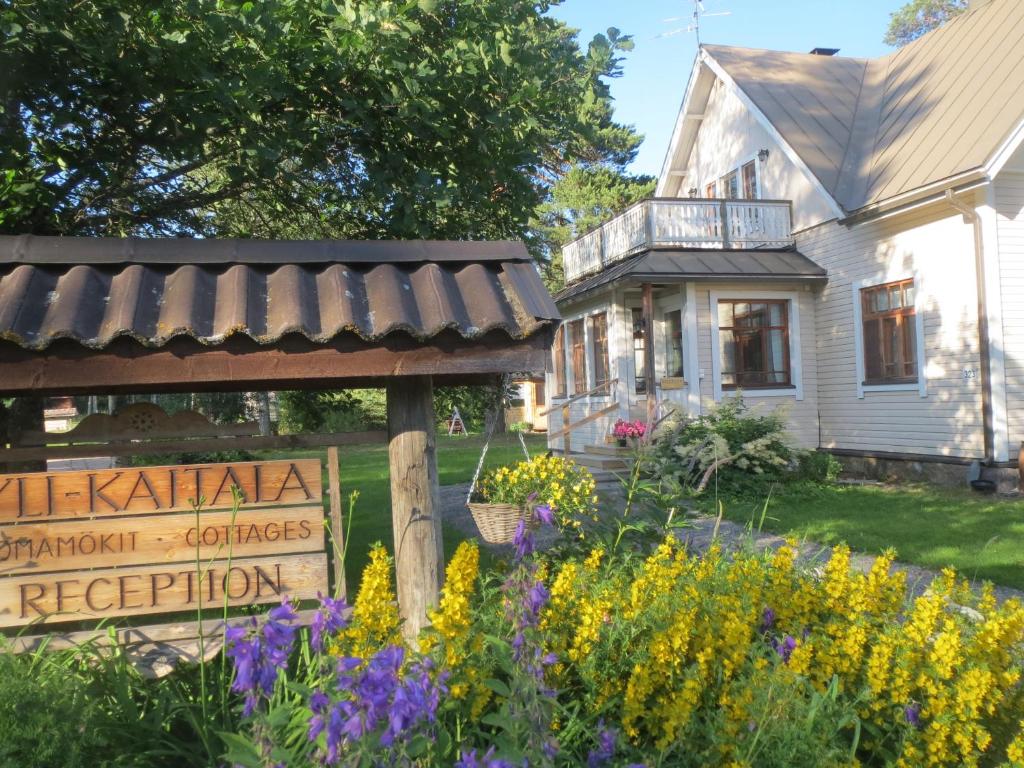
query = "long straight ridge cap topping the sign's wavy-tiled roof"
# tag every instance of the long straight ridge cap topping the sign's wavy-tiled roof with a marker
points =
(54, 250)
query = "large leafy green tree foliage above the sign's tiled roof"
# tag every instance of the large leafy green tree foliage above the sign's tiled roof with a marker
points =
(295, 118)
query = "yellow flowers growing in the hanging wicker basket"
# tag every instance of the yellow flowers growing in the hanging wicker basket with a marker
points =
(553, 481)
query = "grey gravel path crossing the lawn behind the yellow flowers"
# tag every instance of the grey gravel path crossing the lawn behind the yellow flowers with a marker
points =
(700, 536)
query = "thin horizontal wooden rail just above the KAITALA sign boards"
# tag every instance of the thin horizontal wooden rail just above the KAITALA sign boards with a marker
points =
(202, 445)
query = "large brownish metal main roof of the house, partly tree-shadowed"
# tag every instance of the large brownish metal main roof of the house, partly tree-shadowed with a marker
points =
(871, 131)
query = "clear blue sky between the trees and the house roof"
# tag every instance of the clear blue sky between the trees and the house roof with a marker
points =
(650, 93)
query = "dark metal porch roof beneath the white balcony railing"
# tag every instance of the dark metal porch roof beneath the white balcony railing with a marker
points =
(665, 266)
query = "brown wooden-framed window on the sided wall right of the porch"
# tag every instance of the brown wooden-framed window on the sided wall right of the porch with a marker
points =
(890, 328)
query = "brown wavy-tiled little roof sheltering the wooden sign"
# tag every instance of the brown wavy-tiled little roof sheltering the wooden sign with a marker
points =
(97, 290)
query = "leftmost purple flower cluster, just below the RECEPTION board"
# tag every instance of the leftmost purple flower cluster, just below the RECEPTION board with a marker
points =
(260, 653)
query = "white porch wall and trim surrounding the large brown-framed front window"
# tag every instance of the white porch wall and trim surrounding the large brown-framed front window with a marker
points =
(802, 415)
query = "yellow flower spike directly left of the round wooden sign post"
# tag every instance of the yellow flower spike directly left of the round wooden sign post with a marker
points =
(375, 613)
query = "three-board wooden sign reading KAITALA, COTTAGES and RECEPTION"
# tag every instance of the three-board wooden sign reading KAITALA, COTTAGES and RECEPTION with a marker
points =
(126, 542)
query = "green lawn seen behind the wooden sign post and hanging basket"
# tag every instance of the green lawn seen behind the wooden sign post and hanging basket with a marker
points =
(365, 468)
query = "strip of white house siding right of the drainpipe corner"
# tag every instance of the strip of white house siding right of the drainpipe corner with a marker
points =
(1010, 219)
